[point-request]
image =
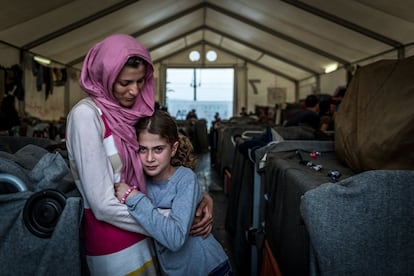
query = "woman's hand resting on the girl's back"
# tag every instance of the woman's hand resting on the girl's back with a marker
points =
(203, 221)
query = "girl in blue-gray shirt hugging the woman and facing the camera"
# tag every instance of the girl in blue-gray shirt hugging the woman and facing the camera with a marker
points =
(168, 208)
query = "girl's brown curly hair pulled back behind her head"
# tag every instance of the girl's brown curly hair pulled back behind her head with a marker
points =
(162, 124)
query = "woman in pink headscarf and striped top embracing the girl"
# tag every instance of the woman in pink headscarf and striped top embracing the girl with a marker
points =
(117, 76)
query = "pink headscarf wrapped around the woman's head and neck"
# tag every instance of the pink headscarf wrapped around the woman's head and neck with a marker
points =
(100, 70)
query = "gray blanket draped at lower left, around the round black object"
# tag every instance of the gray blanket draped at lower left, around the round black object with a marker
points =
(21, 251)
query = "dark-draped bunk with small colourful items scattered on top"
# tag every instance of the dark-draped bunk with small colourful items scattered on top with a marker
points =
(286, 176)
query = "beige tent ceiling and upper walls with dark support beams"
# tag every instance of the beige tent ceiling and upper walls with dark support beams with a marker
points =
(285, 44)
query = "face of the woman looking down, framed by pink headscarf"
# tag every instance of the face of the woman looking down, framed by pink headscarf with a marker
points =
(129, 84)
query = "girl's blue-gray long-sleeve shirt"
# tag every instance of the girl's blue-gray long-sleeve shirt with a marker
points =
(167, 213)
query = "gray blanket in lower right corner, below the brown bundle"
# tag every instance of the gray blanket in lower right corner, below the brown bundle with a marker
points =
(363, 225)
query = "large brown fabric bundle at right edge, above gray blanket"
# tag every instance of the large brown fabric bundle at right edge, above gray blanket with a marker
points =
(374, 127)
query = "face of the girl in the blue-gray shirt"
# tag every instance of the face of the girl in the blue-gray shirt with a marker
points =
(156, 154)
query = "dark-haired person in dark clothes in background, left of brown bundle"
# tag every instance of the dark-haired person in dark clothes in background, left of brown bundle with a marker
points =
(308, 116)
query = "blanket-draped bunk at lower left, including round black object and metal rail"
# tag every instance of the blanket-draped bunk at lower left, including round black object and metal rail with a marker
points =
(40, 210)
